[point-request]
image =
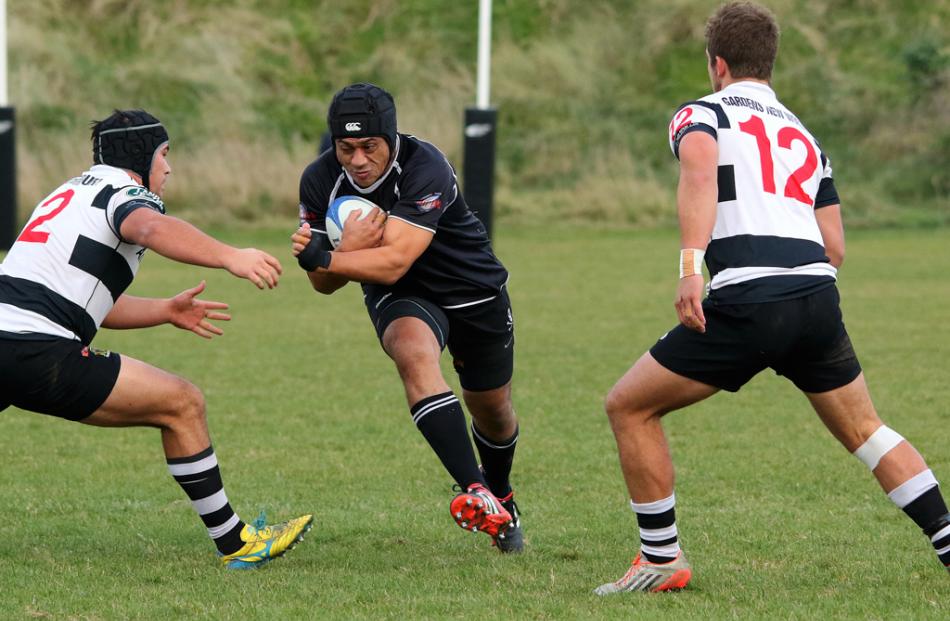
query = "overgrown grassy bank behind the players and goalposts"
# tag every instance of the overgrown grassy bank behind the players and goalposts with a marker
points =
(585, 90)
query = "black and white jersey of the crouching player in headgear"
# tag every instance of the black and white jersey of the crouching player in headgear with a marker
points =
(69, 265)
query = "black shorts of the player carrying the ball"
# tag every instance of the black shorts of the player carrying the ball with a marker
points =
(480, 337)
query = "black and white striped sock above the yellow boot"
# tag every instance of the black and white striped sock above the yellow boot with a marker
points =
(199, 476)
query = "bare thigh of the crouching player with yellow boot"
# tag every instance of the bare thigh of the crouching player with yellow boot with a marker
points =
(146, 395)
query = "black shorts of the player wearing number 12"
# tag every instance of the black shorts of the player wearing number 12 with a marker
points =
(803, 339)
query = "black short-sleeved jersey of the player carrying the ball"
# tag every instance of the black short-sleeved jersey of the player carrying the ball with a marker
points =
(419, 187)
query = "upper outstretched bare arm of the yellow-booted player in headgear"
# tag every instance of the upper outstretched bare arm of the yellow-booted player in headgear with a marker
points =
(181, 241)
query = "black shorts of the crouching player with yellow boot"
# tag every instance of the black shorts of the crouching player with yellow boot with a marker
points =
(58, 377)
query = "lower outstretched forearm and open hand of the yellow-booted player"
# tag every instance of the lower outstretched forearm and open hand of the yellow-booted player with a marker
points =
(183, 311)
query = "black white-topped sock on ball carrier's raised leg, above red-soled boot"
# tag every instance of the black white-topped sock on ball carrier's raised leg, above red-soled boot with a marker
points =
(442, 423)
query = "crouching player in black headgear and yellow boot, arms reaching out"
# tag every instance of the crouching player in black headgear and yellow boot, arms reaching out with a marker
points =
(66, 276)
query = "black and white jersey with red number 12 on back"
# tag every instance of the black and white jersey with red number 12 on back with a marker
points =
(766, 245)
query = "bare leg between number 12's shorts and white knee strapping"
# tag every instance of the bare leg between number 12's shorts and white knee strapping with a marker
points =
(847, 412)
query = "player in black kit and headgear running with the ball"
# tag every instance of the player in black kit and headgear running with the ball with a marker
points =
(430, 280)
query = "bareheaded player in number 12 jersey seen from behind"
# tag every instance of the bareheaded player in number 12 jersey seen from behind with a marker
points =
(756, 197)
